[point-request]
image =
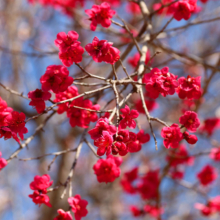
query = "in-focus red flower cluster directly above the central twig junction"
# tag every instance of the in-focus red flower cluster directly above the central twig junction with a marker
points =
(102, 51)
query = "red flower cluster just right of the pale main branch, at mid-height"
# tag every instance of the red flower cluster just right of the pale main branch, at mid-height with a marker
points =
(160, 82)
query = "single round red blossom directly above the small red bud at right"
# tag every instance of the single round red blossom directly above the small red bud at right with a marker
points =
(190, 121)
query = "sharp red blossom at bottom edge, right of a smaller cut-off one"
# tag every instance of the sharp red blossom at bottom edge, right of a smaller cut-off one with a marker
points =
(78, 206)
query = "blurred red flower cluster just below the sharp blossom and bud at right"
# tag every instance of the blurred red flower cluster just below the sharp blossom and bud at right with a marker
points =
(179, 156)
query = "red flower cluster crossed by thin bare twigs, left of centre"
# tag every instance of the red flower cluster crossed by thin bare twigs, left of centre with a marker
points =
(78, 117)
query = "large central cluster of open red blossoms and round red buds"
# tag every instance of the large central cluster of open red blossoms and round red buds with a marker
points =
(105, 138)
